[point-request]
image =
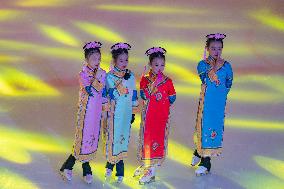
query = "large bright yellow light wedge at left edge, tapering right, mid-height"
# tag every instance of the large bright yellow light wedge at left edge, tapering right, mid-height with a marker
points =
(16, 83)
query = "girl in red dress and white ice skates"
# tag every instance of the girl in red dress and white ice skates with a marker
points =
(158, 92)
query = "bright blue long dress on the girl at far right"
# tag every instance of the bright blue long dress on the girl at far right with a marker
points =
(209, 129)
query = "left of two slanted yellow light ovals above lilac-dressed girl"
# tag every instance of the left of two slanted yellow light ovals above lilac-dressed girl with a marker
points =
(59, 35)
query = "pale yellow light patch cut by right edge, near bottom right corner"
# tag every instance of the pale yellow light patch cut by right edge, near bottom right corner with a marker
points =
(274, 166)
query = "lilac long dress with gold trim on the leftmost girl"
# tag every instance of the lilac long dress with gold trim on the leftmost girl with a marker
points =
(89, 113)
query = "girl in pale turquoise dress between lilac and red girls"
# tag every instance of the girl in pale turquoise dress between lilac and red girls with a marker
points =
(122, 93)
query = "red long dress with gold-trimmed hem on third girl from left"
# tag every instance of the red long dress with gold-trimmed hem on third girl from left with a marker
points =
(154, 126)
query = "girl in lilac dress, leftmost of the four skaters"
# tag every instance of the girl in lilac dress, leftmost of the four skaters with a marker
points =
(92, 99)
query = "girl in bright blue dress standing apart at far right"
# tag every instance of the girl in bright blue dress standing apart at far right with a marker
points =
(216, 76)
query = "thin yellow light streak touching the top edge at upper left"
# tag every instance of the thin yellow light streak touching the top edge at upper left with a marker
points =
(45, 3)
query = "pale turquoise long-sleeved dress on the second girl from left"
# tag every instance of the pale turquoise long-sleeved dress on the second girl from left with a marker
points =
(123, 103)
